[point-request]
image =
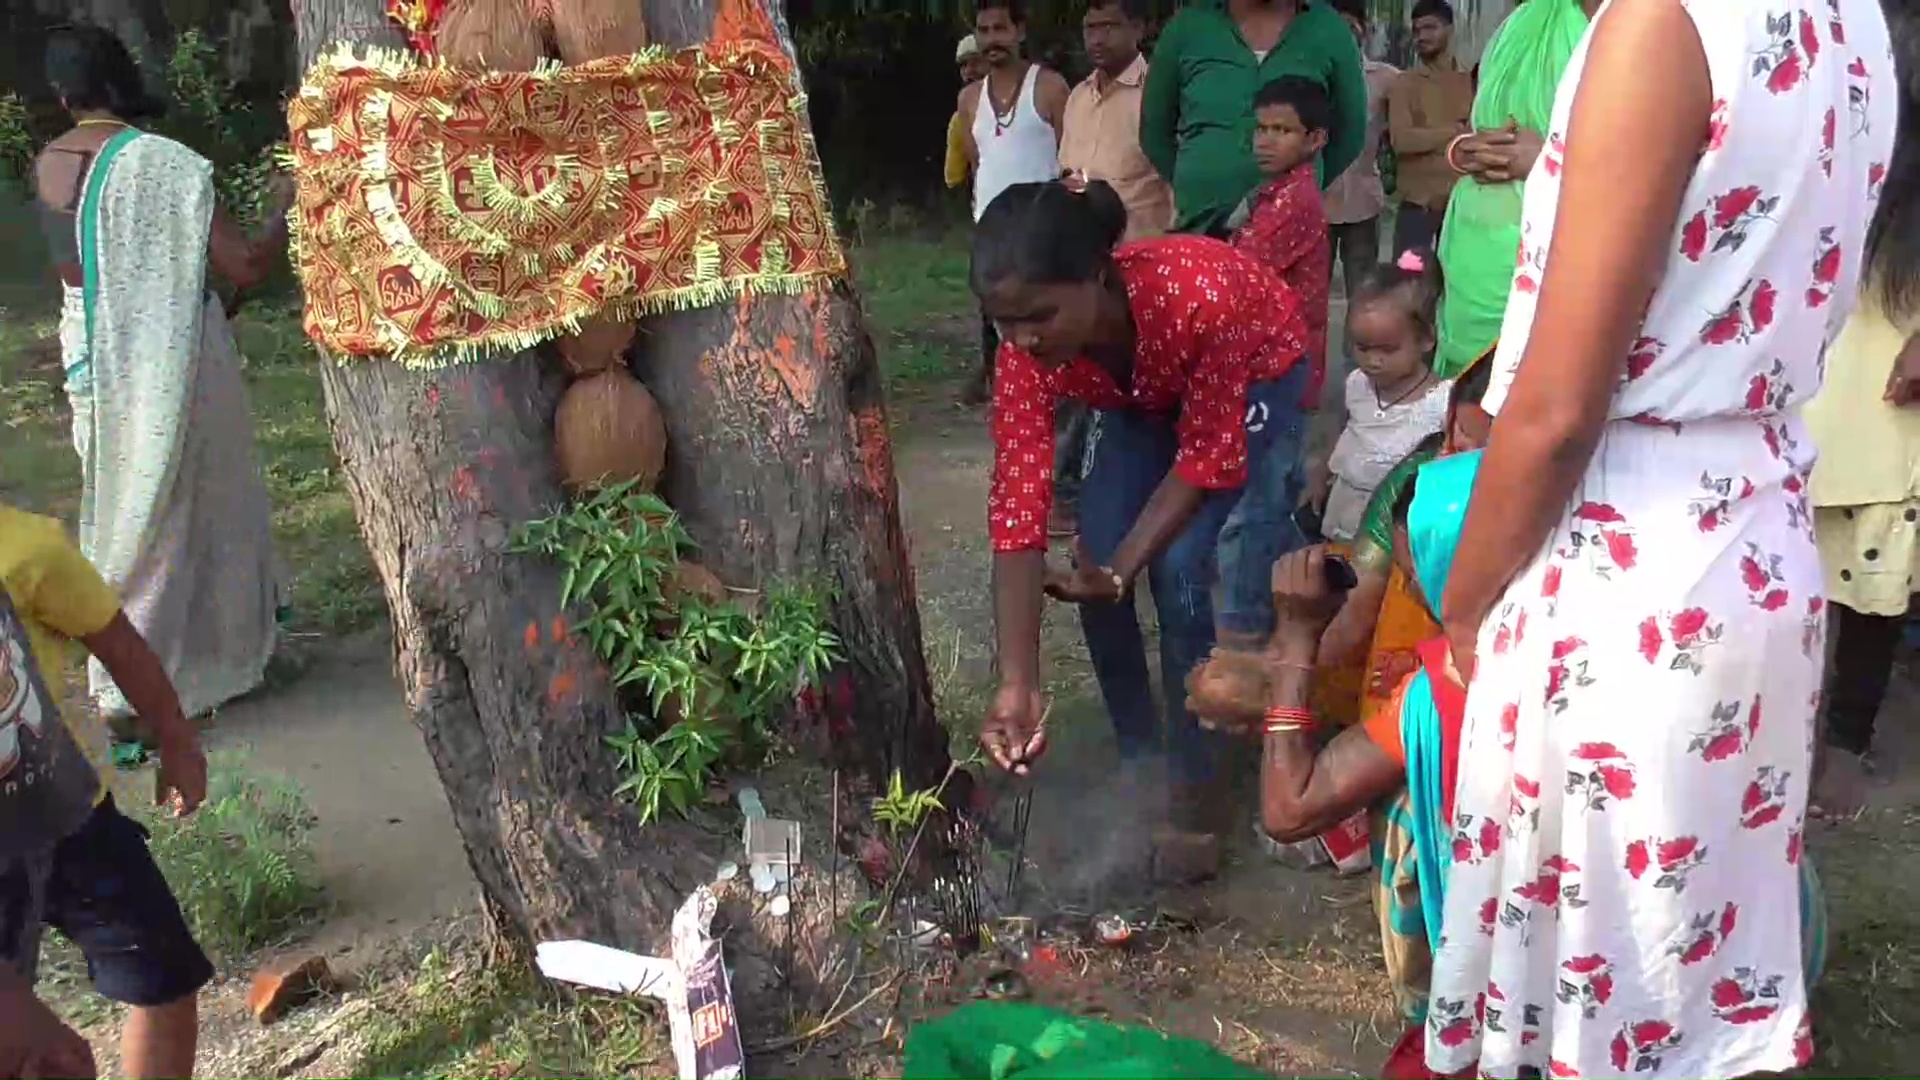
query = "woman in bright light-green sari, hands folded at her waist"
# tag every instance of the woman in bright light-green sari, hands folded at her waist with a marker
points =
(1481, 237)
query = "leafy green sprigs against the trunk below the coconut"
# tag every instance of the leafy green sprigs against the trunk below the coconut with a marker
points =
(713, 672)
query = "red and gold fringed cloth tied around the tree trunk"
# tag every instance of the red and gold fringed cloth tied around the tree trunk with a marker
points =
(444, 214)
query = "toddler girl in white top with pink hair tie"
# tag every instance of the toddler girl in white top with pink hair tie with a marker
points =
(1393, 397)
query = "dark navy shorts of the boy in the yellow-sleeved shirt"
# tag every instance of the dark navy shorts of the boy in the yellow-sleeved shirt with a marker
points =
(105, 893)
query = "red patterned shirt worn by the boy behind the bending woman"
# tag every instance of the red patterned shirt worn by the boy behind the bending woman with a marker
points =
(1287, 232)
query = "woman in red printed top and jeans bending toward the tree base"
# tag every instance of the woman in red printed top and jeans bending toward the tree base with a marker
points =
(1191, 356)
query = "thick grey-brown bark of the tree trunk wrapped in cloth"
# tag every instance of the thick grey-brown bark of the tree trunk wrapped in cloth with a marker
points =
(780, 466)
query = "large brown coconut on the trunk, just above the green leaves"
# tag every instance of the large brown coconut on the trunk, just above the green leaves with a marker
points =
(610, 431)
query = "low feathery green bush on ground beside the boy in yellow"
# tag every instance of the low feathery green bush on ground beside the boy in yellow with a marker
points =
(243, 866)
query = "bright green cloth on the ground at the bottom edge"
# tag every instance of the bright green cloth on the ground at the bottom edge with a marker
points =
(1005, 1041)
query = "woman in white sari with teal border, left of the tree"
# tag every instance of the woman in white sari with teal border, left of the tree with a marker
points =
(174, 508)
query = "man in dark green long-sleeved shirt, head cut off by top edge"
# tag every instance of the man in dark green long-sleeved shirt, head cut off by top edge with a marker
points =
(1197, 112)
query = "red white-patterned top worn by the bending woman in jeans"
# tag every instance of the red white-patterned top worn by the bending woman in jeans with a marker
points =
(1209, 324)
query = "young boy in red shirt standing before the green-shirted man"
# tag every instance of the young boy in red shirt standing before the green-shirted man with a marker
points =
(1284, 224)
